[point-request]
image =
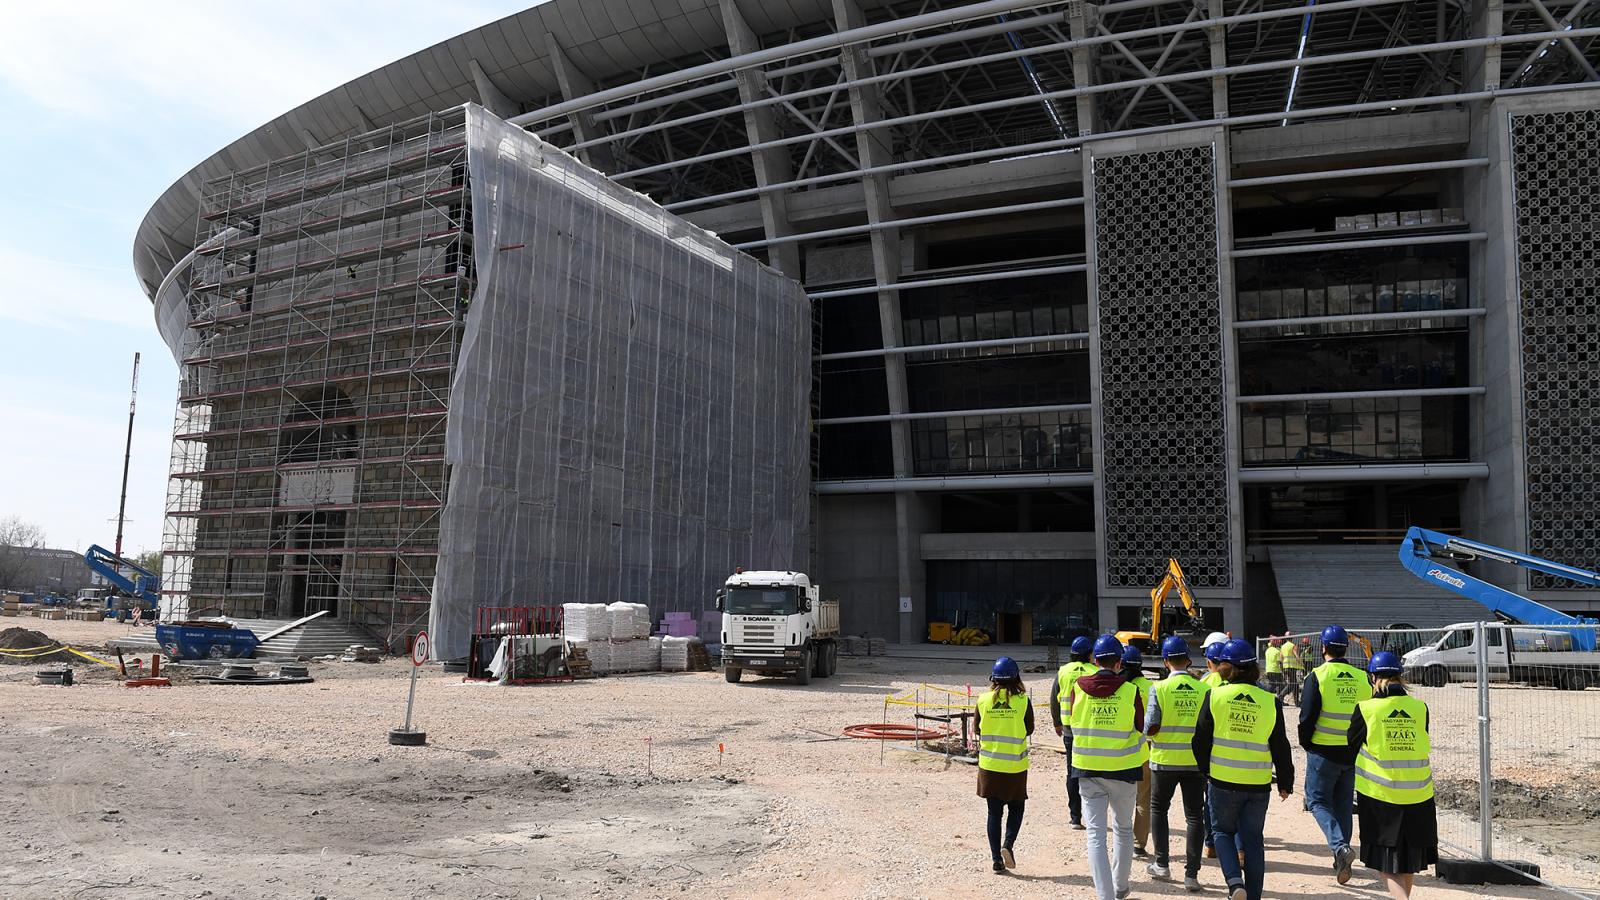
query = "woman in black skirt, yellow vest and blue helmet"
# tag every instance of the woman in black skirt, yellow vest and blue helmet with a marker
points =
(1394, 782)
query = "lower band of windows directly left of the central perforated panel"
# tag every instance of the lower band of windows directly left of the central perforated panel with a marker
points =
(1022, 443)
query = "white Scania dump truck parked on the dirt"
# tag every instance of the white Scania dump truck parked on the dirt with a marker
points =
(775, 624)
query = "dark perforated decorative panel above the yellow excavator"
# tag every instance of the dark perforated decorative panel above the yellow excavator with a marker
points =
(1161, 363)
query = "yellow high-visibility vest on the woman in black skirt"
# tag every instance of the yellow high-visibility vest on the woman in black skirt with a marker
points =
(1393, 765)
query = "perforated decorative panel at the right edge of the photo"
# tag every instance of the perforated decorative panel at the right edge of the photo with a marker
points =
(1556, 167)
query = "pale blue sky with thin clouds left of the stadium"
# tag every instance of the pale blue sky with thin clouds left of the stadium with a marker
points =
(105, 106)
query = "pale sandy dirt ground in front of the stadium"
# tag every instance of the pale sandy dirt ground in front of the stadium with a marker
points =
(602, 789)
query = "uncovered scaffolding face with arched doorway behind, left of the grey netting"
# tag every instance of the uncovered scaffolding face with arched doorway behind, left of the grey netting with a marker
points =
(326, 310)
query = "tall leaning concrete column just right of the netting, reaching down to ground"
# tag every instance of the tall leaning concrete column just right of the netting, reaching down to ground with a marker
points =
(874, 151)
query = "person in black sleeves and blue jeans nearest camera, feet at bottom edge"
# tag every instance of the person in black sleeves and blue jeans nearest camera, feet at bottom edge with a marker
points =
(1242, 747)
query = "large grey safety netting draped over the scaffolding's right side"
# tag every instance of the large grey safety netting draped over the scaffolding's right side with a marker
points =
(630, 414)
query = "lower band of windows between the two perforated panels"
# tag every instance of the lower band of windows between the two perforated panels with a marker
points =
(1354, 432)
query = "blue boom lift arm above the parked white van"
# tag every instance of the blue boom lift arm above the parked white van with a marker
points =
(1422, 552)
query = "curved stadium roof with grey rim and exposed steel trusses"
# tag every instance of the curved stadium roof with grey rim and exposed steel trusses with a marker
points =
(962, 82)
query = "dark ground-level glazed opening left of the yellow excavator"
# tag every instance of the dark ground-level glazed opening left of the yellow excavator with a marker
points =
(1041, 601)
